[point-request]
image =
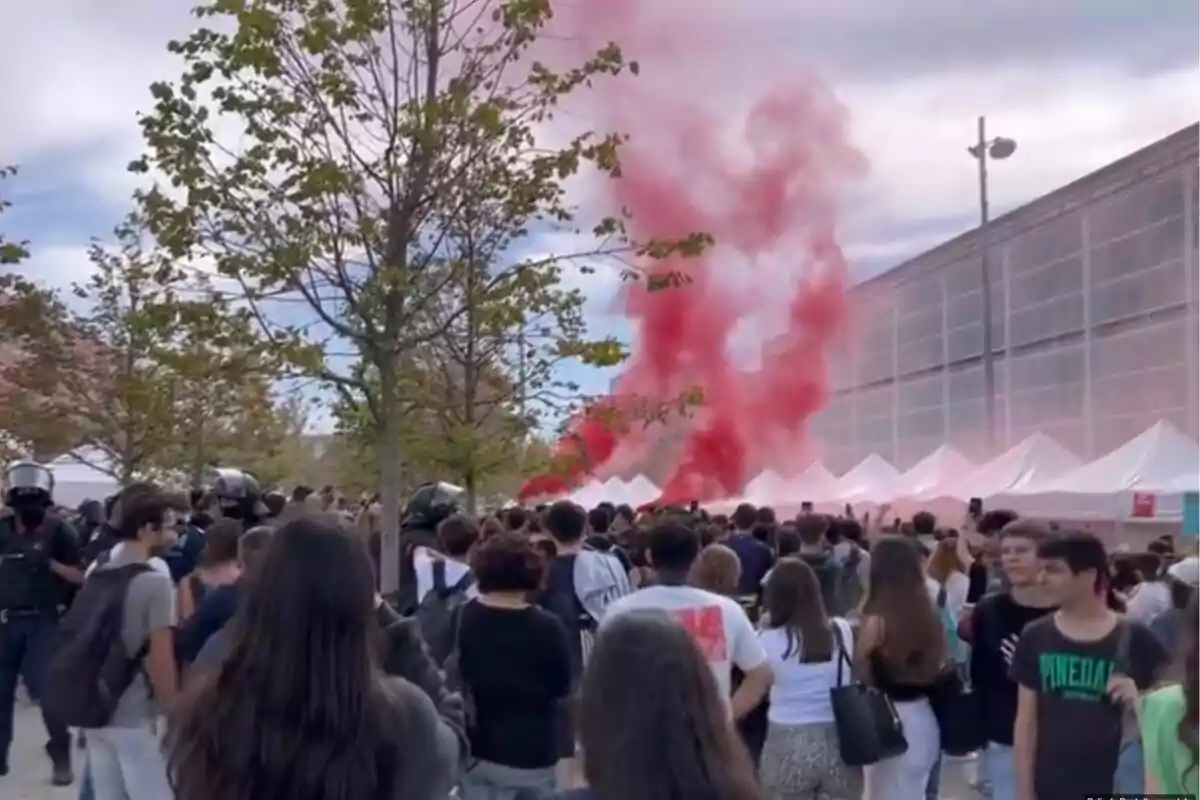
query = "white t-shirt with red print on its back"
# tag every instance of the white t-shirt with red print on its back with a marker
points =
(719, 625)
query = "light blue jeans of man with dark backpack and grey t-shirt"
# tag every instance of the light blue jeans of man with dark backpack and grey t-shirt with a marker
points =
(127, 765)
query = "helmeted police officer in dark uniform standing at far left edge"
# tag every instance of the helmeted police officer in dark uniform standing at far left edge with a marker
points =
(40, 560)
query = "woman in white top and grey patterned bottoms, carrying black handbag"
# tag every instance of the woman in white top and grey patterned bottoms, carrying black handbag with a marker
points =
(801, 760)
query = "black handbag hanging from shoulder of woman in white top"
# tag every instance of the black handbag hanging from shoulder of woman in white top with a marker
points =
(869, 730)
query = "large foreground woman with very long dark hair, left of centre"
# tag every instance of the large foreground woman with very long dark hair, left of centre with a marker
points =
(301, 709)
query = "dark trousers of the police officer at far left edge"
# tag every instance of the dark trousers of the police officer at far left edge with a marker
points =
(26, 645)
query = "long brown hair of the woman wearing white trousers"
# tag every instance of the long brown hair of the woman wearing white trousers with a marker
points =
(914, 645)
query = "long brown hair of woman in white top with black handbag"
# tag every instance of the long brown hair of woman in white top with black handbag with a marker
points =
(793, 601)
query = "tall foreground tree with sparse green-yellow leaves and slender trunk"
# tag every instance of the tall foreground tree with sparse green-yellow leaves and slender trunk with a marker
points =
(369, 130)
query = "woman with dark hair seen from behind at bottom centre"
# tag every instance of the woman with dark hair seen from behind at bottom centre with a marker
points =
(663, 730)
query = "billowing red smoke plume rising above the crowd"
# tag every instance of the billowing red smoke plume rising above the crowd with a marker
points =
(771, 207)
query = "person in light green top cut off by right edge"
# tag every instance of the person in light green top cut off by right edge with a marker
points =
(1171, 721)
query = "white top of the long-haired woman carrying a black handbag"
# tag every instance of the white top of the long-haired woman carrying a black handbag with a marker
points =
(801, 693)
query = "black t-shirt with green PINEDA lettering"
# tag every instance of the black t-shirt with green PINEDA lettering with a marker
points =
(1078, 726)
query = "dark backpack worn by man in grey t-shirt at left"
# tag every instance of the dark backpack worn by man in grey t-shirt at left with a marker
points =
(89, 669)
